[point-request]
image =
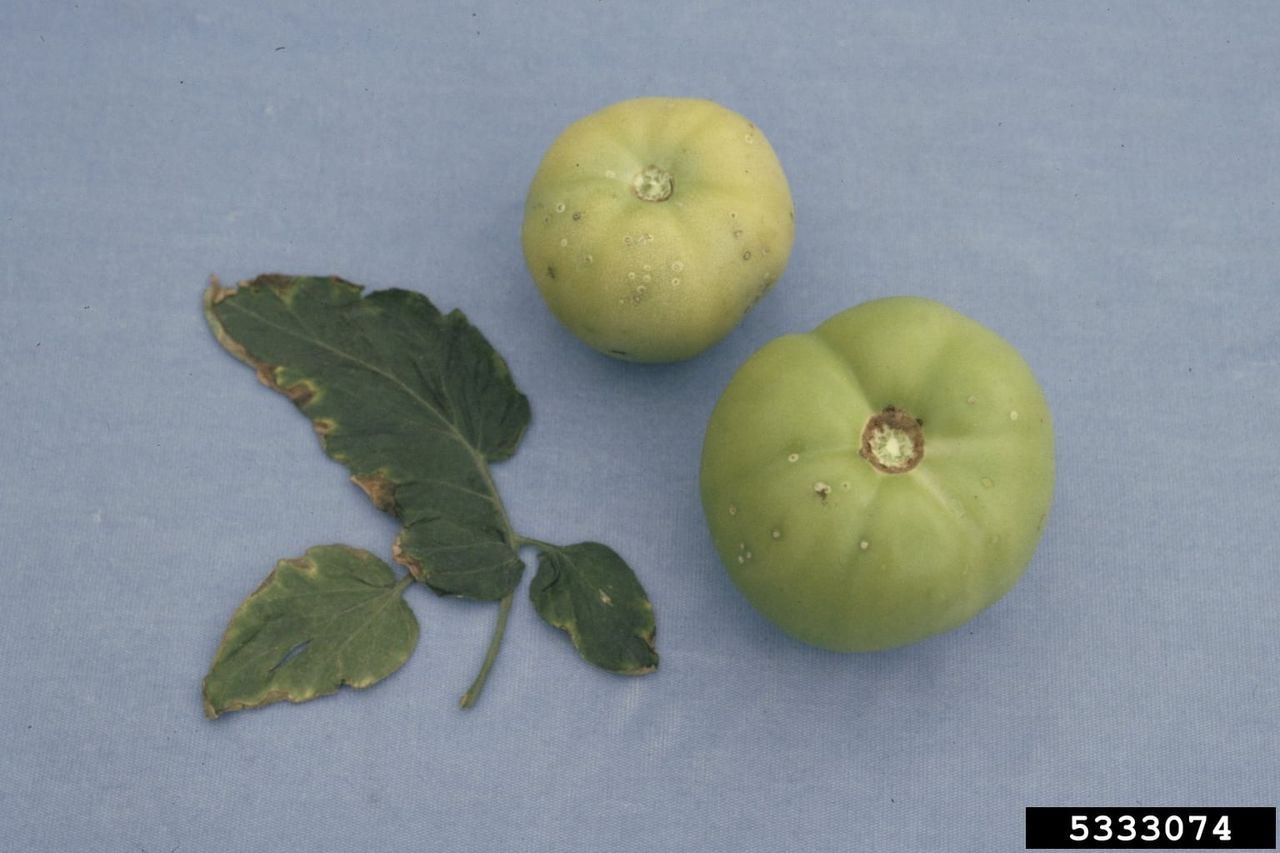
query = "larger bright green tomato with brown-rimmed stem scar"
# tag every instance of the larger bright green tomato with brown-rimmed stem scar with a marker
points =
(881, 480)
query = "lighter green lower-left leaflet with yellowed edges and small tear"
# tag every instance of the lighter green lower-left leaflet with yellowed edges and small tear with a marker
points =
(331, 618)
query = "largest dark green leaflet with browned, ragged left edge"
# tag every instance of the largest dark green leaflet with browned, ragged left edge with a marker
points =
(414, 403)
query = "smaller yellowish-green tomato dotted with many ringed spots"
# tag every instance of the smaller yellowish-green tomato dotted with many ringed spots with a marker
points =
(656, 225)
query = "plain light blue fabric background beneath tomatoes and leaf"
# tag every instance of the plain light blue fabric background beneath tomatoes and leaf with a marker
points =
(1100, 183)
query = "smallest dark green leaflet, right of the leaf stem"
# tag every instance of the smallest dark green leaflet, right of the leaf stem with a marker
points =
(588, 591)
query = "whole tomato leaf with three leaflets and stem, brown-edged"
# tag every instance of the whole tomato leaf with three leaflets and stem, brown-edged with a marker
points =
(417, 404)
